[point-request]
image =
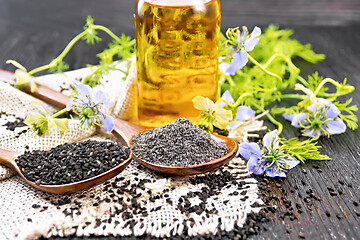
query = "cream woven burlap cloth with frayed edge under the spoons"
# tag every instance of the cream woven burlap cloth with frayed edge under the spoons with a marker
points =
(137, 201)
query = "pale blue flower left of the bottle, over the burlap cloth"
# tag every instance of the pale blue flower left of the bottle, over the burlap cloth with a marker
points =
(87, 105)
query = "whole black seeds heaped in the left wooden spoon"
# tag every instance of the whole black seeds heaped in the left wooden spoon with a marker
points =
(73, 162)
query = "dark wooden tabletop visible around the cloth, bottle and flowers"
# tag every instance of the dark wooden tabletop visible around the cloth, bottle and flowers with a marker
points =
(33, 32)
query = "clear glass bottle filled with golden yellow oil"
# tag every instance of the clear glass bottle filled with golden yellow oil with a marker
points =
(177, 57)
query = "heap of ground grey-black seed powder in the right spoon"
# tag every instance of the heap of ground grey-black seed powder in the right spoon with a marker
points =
(180, 143)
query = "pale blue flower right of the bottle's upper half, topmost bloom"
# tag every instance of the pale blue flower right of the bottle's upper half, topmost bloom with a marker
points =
(245, 43)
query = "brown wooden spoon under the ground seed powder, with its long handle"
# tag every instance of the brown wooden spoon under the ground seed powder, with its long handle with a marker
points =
(125, 132)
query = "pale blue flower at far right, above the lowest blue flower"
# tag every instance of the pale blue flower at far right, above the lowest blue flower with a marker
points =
(322, 119)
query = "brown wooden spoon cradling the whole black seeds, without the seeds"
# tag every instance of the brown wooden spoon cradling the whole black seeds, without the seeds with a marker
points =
(8, 158)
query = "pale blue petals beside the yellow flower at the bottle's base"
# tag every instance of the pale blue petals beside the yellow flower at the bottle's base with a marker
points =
(243, 113)
